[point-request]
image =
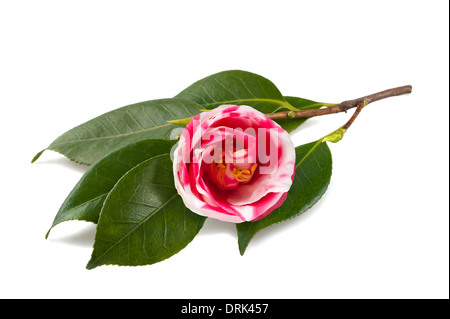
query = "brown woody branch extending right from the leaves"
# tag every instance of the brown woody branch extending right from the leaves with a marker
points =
(344, 106)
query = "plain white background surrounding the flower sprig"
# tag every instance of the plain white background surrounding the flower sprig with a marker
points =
(380, 231)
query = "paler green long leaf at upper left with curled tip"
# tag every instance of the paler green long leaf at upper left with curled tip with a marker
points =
(88, 142)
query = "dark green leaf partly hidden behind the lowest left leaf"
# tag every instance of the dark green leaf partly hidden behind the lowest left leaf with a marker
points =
(86, 199)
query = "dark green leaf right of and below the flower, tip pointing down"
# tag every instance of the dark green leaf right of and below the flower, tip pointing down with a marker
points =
(312, 176)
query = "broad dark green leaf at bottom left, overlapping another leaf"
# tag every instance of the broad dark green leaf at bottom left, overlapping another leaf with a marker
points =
(144, 220)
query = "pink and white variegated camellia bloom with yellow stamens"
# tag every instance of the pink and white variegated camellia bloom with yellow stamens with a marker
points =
(233, 164)
